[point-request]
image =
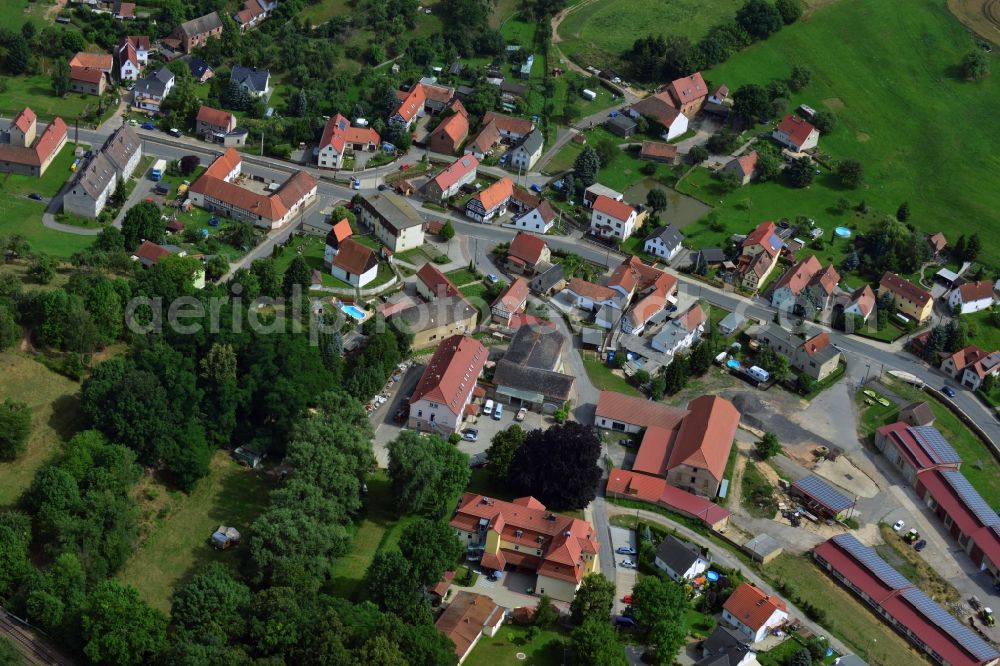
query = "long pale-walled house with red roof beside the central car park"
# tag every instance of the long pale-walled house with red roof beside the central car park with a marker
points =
(443, 396)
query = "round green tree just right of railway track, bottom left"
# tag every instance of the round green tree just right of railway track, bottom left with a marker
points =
(119, 628)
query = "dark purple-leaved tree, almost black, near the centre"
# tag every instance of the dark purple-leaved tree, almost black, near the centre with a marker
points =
(558, 466)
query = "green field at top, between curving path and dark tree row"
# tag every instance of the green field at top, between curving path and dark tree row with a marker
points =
(599, 31)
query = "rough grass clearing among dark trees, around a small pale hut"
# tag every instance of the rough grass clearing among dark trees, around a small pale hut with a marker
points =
(179, 526)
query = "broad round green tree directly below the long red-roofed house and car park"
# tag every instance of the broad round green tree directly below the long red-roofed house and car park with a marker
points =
(427, 473)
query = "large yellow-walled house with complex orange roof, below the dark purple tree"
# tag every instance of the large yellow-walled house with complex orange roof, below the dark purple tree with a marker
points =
(524, 536)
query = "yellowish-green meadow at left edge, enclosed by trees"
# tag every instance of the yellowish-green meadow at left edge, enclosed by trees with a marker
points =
(54, 415)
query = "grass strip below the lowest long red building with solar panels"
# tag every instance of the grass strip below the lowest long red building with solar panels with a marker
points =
(846, 617)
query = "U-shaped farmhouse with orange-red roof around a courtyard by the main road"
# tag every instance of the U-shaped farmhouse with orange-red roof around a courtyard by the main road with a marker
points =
(216, 190)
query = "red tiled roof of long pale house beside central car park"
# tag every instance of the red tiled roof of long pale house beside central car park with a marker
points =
(451, 374)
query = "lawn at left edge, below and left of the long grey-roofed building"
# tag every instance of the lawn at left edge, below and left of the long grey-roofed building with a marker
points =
(21, 215)
